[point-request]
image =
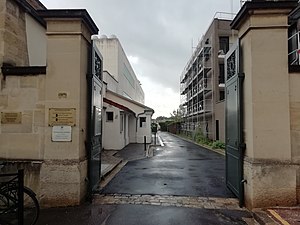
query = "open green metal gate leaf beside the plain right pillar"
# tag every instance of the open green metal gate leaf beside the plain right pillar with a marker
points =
(234, 123)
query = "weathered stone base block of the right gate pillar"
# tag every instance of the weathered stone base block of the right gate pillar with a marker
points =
(270, 184)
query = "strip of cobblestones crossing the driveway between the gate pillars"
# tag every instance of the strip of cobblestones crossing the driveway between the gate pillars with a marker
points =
(169, 200)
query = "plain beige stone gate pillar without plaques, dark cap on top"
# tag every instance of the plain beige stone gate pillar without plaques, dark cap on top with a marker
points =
(268, 164)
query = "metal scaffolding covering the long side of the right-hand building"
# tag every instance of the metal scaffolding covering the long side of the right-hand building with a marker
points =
(196, 88)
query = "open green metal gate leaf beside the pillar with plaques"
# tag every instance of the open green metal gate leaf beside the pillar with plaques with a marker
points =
(94, 117)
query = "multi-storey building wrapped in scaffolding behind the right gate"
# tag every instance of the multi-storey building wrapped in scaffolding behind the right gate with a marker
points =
(202, 81)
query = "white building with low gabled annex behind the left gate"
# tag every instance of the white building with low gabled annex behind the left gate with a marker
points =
(126, 119)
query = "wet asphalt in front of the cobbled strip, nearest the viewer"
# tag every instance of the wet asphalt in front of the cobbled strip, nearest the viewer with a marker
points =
(140, 215)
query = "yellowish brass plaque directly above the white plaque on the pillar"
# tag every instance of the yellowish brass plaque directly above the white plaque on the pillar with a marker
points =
(62, 116)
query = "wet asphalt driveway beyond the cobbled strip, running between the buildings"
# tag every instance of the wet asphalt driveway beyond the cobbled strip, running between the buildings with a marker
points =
(179, 168)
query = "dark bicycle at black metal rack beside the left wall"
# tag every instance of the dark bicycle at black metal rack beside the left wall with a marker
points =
(13, 209)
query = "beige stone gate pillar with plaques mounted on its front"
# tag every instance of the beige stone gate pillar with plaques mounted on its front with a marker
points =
(64, 171)
